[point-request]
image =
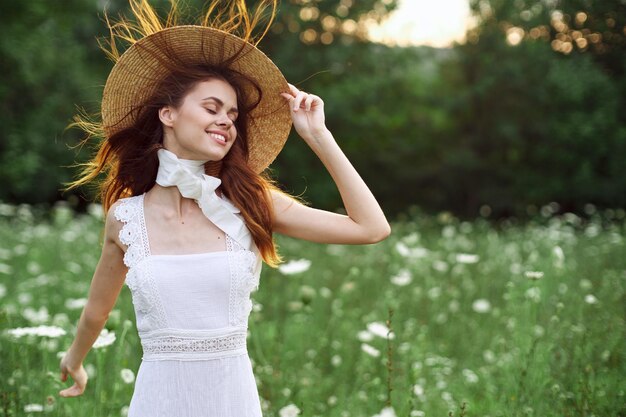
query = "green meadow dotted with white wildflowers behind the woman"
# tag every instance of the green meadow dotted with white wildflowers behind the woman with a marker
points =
(511, 319)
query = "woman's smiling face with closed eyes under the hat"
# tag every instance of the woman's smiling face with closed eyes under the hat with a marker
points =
(203, 127)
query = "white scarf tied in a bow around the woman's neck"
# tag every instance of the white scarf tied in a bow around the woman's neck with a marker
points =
(188, 175)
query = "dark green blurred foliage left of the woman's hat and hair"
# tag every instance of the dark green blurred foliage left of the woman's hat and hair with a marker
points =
(46, 69)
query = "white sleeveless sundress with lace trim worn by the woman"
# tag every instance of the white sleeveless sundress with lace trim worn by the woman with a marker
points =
(192, 317)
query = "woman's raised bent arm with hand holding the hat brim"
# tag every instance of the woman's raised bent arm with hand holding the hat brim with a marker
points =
(365, 221)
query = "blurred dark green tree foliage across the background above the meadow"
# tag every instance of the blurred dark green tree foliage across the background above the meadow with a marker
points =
(529, 110)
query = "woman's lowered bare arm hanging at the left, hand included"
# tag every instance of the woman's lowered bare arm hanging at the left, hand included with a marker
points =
(105, 287)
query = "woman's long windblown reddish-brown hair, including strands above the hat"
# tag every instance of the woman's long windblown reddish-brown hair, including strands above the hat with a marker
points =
(128, 156)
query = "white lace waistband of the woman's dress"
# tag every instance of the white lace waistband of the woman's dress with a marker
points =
(187, 344)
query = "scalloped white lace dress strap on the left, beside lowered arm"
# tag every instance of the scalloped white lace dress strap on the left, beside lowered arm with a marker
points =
(133, 234)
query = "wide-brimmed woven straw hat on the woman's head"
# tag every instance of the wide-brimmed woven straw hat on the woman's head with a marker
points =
(140, 69)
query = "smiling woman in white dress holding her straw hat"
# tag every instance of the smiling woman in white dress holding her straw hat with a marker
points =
(191, 116)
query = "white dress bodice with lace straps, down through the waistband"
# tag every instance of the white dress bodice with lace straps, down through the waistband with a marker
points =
(190, 306)
